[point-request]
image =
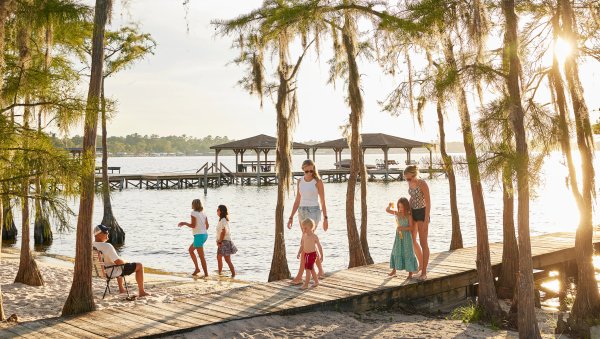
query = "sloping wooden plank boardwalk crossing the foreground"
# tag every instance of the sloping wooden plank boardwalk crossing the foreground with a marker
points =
(356, 289)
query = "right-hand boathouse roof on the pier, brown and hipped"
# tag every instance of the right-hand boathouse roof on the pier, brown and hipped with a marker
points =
(376, 140)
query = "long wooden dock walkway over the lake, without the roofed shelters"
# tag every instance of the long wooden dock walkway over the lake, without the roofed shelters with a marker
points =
(176, 180)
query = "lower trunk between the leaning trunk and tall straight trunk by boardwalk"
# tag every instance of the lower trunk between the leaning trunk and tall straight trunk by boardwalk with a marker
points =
(510, 250)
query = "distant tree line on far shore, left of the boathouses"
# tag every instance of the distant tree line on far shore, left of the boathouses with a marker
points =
(137, 144)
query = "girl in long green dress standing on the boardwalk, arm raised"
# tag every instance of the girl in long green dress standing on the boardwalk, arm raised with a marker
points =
(403, 255)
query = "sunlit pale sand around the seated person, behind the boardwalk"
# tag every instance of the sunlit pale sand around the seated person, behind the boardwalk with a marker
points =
(30, 303)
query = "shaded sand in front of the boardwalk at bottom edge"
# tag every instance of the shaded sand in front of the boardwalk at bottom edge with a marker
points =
(350, 325)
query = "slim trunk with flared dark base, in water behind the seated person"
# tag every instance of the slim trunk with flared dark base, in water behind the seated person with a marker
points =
(116, 234)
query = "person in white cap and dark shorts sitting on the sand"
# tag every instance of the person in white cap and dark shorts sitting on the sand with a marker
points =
(112, 258)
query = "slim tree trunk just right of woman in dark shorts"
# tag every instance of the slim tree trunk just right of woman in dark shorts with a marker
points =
(456, 241)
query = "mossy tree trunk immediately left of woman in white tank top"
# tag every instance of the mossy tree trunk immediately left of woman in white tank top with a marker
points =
(279, 266)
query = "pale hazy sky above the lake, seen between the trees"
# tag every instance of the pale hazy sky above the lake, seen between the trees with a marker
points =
(189, 86)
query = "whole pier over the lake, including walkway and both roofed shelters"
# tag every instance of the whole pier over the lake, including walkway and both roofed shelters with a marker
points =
(262, 171)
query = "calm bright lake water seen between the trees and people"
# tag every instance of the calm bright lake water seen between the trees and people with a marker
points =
(150, 217)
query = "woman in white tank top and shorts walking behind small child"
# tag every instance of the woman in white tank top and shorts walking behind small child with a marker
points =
(310, 191)
